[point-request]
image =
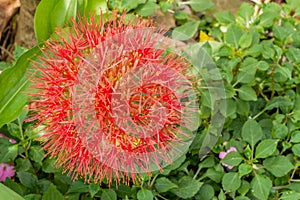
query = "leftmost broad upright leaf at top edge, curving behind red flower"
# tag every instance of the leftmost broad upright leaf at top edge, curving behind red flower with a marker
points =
(42, 27)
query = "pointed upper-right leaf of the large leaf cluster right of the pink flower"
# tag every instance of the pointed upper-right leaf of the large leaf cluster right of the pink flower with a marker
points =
(266, 148)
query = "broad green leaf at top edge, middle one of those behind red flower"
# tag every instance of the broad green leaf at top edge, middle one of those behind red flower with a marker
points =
(61, 13)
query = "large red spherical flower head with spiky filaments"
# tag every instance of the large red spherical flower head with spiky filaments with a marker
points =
(115, 100)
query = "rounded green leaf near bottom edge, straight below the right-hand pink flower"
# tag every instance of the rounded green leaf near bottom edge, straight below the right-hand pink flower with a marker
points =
(231, 181)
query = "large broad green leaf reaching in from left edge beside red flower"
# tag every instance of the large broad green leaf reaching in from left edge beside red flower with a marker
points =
(13, 82)
